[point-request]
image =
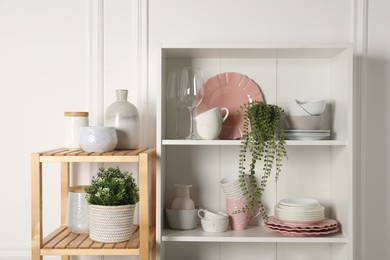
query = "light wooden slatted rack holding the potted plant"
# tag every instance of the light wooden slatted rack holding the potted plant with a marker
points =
(65, 243)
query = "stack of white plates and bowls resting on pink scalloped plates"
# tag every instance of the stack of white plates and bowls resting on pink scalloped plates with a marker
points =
(305, 210)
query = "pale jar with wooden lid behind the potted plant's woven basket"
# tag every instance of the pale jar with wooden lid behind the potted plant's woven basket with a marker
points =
(77, 217)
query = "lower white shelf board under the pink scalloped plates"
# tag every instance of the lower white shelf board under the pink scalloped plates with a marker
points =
(250, 234)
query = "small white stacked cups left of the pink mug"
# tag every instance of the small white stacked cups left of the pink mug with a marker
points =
(214, 222)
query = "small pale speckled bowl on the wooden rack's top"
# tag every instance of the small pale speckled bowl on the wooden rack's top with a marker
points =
(98, 138)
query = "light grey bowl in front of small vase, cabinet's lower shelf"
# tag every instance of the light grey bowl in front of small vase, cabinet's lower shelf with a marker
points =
(182, 219)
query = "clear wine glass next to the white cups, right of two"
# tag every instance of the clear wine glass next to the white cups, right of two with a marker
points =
(191, 94)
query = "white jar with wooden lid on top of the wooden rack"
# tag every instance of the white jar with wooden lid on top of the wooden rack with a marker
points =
(73, 122)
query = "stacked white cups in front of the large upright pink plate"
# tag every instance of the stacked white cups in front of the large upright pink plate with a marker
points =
(209, 123)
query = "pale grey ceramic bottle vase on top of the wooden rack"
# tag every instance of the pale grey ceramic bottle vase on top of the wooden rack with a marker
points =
(125, 118)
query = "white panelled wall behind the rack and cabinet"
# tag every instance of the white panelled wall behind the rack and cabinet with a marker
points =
(49, 63)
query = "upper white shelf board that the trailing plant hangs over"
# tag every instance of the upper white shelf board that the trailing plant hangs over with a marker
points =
(237, 142)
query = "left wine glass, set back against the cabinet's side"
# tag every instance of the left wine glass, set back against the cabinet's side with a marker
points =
(173, 98)
